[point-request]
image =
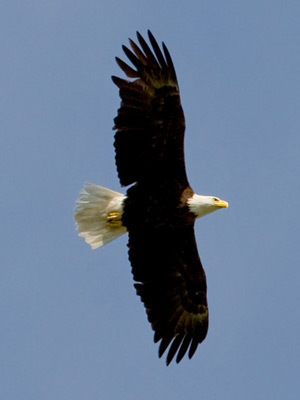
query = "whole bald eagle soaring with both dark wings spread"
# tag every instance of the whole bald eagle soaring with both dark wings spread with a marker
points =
(160, 208)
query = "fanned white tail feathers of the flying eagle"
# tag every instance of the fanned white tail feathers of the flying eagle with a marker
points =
(93, 208)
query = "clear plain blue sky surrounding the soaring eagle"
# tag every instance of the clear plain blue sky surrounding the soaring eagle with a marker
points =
(72, 326)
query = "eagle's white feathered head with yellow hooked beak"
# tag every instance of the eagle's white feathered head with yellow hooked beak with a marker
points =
(203, 205)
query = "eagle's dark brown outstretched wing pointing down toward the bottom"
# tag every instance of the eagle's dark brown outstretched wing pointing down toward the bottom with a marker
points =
(172, 286)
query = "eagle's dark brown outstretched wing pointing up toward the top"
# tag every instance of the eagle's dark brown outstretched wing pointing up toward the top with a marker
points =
(150, 122)
